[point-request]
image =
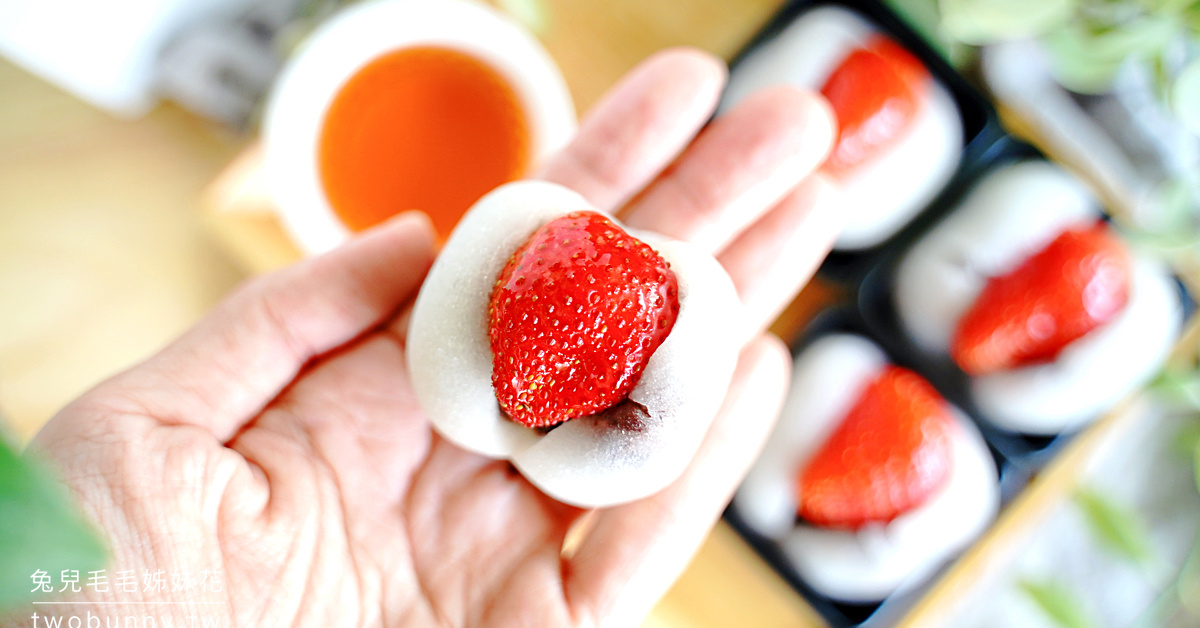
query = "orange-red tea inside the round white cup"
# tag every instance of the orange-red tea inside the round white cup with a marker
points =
(424, 128)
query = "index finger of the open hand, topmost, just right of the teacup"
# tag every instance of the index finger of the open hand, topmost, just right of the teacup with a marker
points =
(640, 127)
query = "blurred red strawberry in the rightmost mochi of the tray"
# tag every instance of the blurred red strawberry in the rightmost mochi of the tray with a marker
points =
(1075, 285)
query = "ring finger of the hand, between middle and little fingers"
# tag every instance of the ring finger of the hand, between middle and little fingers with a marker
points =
(778, 255)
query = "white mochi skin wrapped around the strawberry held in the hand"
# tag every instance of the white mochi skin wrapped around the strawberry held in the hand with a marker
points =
(586, 462)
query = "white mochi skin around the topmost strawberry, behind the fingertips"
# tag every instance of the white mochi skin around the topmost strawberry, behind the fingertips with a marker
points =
(884, 194)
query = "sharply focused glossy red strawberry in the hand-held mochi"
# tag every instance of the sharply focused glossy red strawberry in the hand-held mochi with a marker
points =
(574, 318)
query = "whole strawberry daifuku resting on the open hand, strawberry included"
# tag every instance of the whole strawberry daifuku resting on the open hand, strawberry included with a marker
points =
(591, 356)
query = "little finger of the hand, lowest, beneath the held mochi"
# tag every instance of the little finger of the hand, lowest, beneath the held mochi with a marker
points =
(637, 552)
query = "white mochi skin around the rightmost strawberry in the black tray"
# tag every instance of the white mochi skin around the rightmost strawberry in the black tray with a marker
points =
(1011, 216)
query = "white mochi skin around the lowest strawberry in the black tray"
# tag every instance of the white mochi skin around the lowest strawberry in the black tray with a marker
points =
(871, 564)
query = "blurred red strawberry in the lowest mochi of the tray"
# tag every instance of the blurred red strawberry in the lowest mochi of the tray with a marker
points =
(887, 457)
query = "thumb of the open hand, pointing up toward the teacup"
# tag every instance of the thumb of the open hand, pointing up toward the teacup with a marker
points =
(242, 356)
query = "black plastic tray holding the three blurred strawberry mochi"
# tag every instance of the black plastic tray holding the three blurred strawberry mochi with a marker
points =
(868, 274)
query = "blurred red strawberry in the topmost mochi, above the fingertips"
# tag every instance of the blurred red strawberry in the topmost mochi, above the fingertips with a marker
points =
(875, 94)
